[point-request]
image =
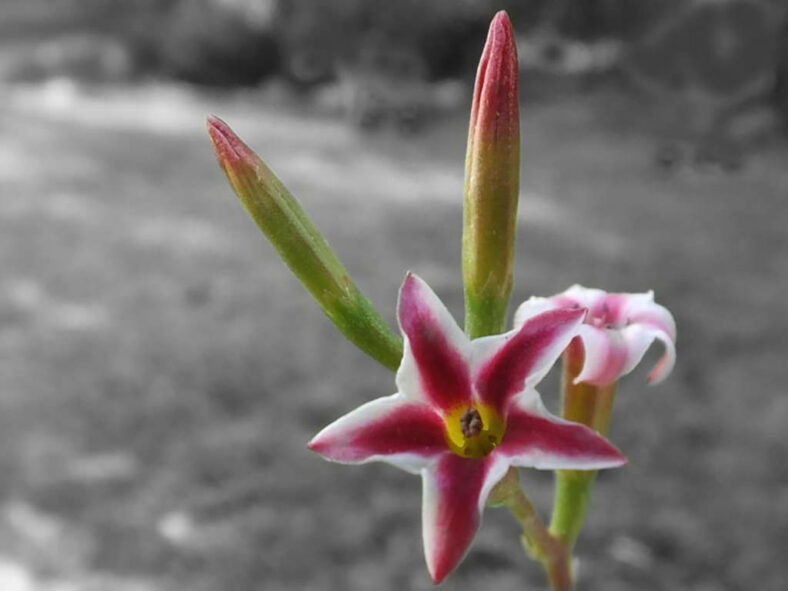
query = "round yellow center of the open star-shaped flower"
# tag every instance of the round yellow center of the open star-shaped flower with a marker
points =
(473, 432)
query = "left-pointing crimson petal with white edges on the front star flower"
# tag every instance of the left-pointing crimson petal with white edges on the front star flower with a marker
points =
(392, 429)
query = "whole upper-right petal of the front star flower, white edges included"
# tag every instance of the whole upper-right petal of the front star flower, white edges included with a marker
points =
(507, 362)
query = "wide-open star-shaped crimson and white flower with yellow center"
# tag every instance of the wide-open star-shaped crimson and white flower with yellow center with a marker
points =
(464, 412)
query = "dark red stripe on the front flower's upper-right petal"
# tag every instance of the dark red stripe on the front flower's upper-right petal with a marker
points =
(504, 375)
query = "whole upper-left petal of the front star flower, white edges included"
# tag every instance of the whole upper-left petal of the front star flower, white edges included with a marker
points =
(435, 361)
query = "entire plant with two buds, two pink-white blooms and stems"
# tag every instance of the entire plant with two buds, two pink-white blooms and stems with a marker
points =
(466, 416)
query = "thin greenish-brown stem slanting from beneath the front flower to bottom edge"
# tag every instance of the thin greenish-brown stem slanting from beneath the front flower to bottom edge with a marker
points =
(537, 540)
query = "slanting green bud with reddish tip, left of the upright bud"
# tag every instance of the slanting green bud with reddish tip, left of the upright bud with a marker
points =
(302, 247)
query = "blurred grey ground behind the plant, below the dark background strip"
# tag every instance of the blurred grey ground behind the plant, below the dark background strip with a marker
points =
(162, 372)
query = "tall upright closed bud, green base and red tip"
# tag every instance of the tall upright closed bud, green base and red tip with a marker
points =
(492, 184)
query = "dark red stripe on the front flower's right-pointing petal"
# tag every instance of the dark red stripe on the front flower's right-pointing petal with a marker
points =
(529, 433)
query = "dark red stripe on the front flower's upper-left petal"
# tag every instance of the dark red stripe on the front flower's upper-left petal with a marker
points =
(442, 368)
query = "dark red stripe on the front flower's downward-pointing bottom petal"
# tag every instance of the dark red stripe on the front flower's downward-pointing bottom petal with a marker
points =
(458, 482)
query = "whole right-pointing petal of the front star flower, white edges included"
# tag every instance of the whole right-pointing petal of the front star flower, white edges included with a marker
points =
(535, 438)
